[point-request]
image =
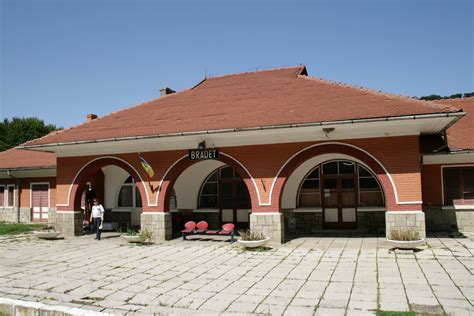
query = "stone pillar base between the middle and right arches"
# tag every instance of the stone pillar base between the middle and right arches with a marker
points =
(269, 224)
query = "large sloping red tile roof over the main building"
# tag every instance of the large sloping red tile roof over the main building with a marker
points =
(252, 99)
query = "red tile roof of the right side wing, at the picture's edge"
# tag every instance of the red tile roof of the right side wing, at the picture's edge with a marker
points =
(461, 134)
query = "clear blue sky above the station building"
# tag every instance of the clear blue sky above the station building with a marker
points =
(60, 60)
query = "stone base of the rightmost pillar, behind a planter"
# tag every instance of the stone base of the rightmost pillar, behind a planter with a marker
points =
(405, 221)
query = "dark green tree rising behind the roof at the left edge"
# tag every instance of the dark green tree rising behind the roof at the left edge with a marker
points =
(20, 130)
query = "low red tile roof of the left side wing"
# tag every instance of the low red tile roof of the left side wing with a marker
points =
(19, 158)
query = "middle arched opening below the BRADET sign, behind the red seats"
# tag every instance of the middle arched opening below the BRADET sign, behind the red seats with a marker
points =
(211, 191)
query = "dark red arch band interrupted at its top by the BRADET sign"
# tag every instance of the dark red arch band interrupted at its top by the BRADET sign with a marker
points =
(167, 183)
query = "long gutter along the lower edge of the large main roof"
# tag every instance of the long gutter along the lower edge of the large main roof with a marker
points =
(456, 115)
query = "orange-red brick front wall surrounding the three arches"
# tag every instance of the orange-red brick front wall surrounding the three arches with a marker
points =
(399, 155)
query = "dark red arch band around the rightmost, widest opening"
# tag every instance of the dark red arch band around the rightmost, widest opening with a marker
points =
(335, 148)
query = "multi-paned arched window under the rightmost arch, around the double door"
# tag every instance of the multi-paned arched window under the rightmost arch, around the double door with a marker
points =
(369, 189)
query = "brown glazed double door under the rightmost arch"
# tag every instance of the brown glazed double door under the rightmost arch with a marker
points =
(339, 200)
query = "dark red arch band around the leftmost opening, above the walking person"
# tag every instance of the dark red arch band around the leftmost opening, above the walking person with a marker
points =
(89, 169)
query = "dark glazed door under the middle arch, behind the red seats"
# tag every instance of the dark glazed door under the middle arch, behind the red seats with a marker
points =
(234, 202)
